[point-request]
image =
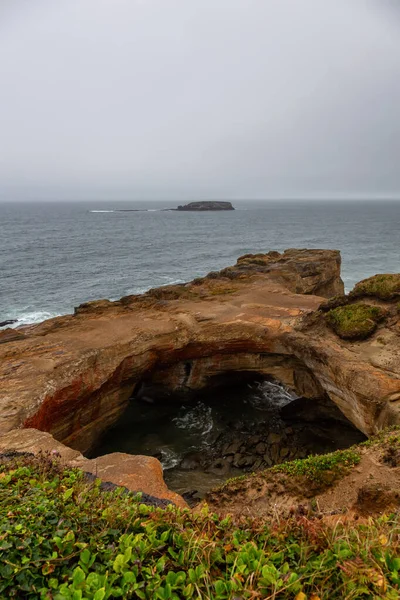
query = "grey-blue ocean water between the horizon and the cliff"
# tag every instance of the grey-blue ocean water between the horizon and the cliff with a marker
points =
(54, 256)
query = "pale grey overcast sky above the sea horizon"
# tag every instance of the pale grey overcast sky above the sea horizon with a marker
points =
(192, 99)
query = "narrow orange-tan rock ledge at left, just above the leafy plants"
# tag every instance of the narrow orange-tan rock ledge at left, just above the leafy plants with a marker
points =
(136, 473)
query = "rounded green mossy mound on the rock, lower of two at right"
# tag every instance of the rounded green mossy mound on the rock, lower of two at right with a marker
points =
(354, 321)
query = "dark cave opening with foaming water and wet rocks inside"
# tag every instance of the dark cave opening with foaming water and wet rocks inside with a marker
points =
(240, 423)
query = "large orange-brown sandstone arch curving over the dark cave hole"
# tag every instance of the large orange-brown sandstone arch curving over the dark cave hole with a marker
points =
(73, 376)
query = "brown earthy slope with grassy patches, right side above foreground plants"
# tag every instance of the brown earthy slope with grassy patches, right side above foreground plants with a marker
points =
(359, 482)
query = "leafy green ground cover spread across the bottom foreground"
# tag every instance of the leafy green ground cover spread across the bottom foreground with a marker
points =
(62, 538)
